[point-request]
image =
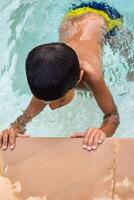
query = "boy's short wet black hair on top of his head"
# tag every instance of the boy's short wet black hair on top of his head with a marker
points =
(51, 70)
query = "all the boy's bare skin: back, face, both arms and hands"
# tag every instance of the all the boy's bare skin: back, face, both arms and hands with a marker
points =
(85, 35)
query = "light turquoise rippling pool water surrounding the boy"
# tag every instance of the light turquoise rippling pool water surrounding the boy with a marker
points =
(26, 24)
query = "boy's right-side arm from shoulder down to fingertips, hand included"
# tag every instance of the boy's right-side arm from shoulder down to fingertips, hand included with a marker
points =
(93, 79)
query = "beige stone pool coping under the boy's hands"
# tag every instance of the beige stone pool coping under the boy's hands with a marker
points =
(60, 168)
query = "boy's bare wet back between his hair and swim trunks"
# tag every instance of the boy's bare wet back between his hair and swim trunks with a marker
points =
(85, 35)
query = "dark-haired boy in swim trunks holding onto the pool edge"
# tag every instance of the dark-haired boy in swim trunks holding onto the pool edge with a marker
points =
(55, 70)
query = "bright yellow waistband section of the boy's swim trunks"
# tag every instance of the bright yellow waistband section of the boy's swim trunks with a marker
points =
(111, 23)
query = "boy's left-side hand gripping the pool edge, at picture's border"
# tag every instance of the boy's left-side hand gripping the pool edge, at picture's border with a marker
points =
(8, 138)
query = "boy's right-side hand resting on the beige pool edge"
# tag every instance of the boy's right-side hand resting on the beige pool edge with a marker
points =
(92, 137)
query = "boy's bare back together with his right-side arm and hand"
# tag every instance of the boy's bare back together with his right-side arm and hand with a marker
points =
(85, 34)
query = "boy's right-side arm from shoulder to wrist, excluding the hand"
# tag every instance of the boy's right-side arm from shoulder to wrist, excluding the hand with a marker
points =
(105, 101)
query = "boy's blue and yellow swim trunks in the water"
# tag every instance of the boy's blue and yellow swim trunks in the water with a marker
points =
(112, 17)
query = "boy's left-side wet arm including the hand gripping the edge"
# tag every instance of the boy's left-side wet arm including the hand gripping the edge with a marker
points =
(17, 128)
